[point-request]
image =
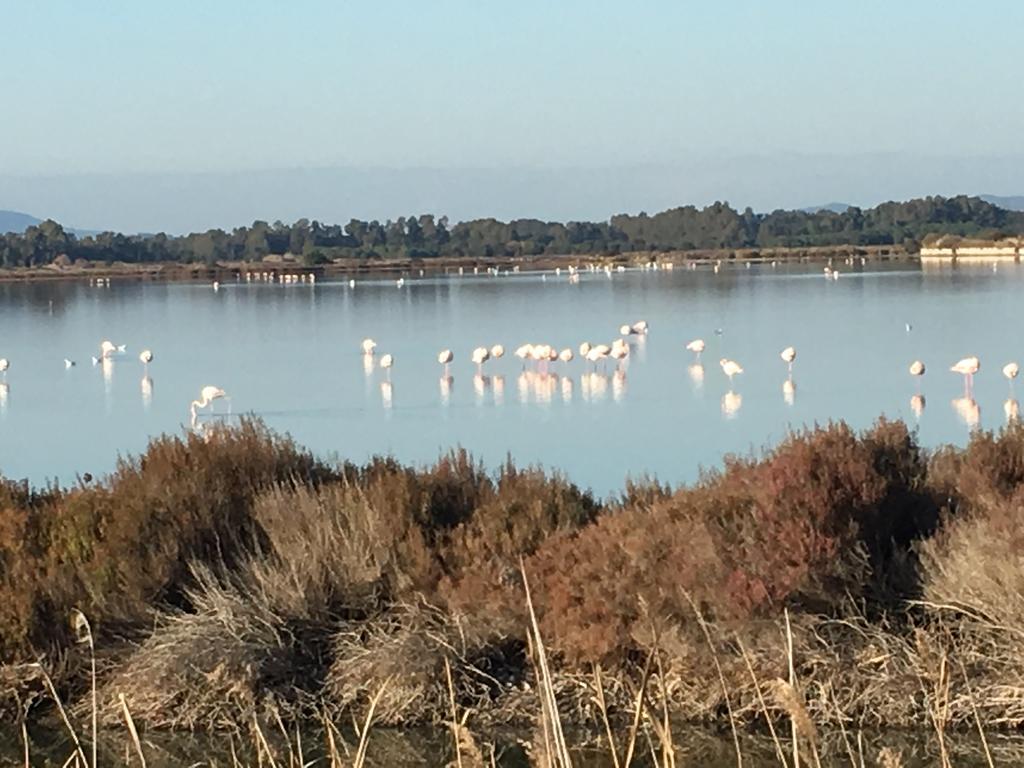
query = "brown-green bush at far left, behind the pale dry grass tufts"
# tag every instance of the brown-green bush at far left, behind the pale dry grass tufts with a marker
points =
(116, 548)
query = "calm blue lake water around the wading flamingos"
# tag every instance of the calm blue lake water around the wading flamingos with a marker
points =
(290, 355)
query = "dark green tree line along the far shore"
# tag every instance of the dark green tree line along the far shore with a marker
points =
(688, 228)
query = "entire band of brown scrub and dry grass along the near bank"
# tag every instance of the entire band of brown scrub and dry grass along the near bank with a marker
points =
(239, 578)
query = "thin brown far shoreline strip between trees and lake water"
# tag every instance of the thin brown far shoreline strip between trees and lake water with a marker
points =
(181, 272)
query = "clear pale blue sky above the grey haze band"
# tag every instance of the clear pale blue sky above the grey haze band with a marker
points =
(122, 88)
